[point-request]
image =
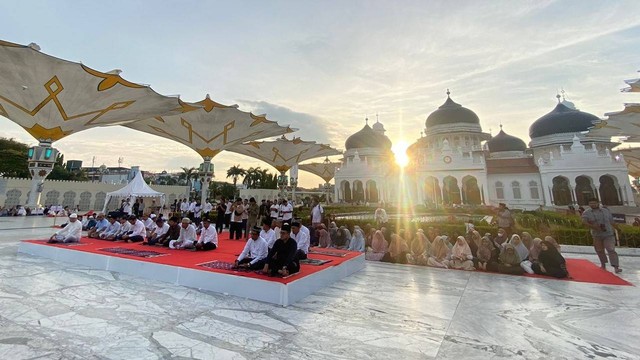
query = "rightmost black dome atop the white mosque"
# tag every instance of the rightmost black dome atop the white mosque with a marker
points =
(562, 120)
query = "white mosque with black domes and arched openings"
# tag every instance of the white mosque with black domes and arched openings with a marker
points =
(456, 163)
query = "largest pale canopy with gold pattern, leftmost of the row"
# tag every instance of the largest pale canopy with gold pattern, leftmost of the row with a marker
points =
(52, 98)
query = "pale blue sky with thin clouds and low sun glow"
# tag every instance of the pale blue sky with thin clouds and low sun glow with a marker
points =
(323, 66)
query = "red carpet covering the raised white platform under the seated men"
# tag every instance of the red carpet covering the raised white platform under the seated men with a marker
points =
(227, 251)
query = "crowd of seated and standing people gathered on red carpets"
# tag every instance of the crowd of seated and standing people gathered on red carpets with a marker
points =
(276, 241)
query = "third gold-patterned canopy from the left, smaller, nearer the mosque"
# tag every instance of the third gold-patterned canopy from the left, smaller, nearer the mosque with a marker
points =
(283, 153)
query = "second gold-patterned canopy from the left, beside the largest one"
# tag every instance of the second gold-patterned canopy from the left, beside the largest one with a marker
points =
(211, 127)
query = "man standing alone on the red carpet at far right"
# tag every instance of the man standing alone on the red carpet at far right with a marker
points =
(600, 222)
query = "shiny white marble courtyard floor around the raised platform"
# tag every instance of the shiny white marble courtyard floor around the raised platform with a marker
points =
(52, 310)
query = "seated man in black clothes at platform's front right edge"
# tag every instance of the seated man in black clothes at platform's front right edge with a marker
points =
(282, 256)
